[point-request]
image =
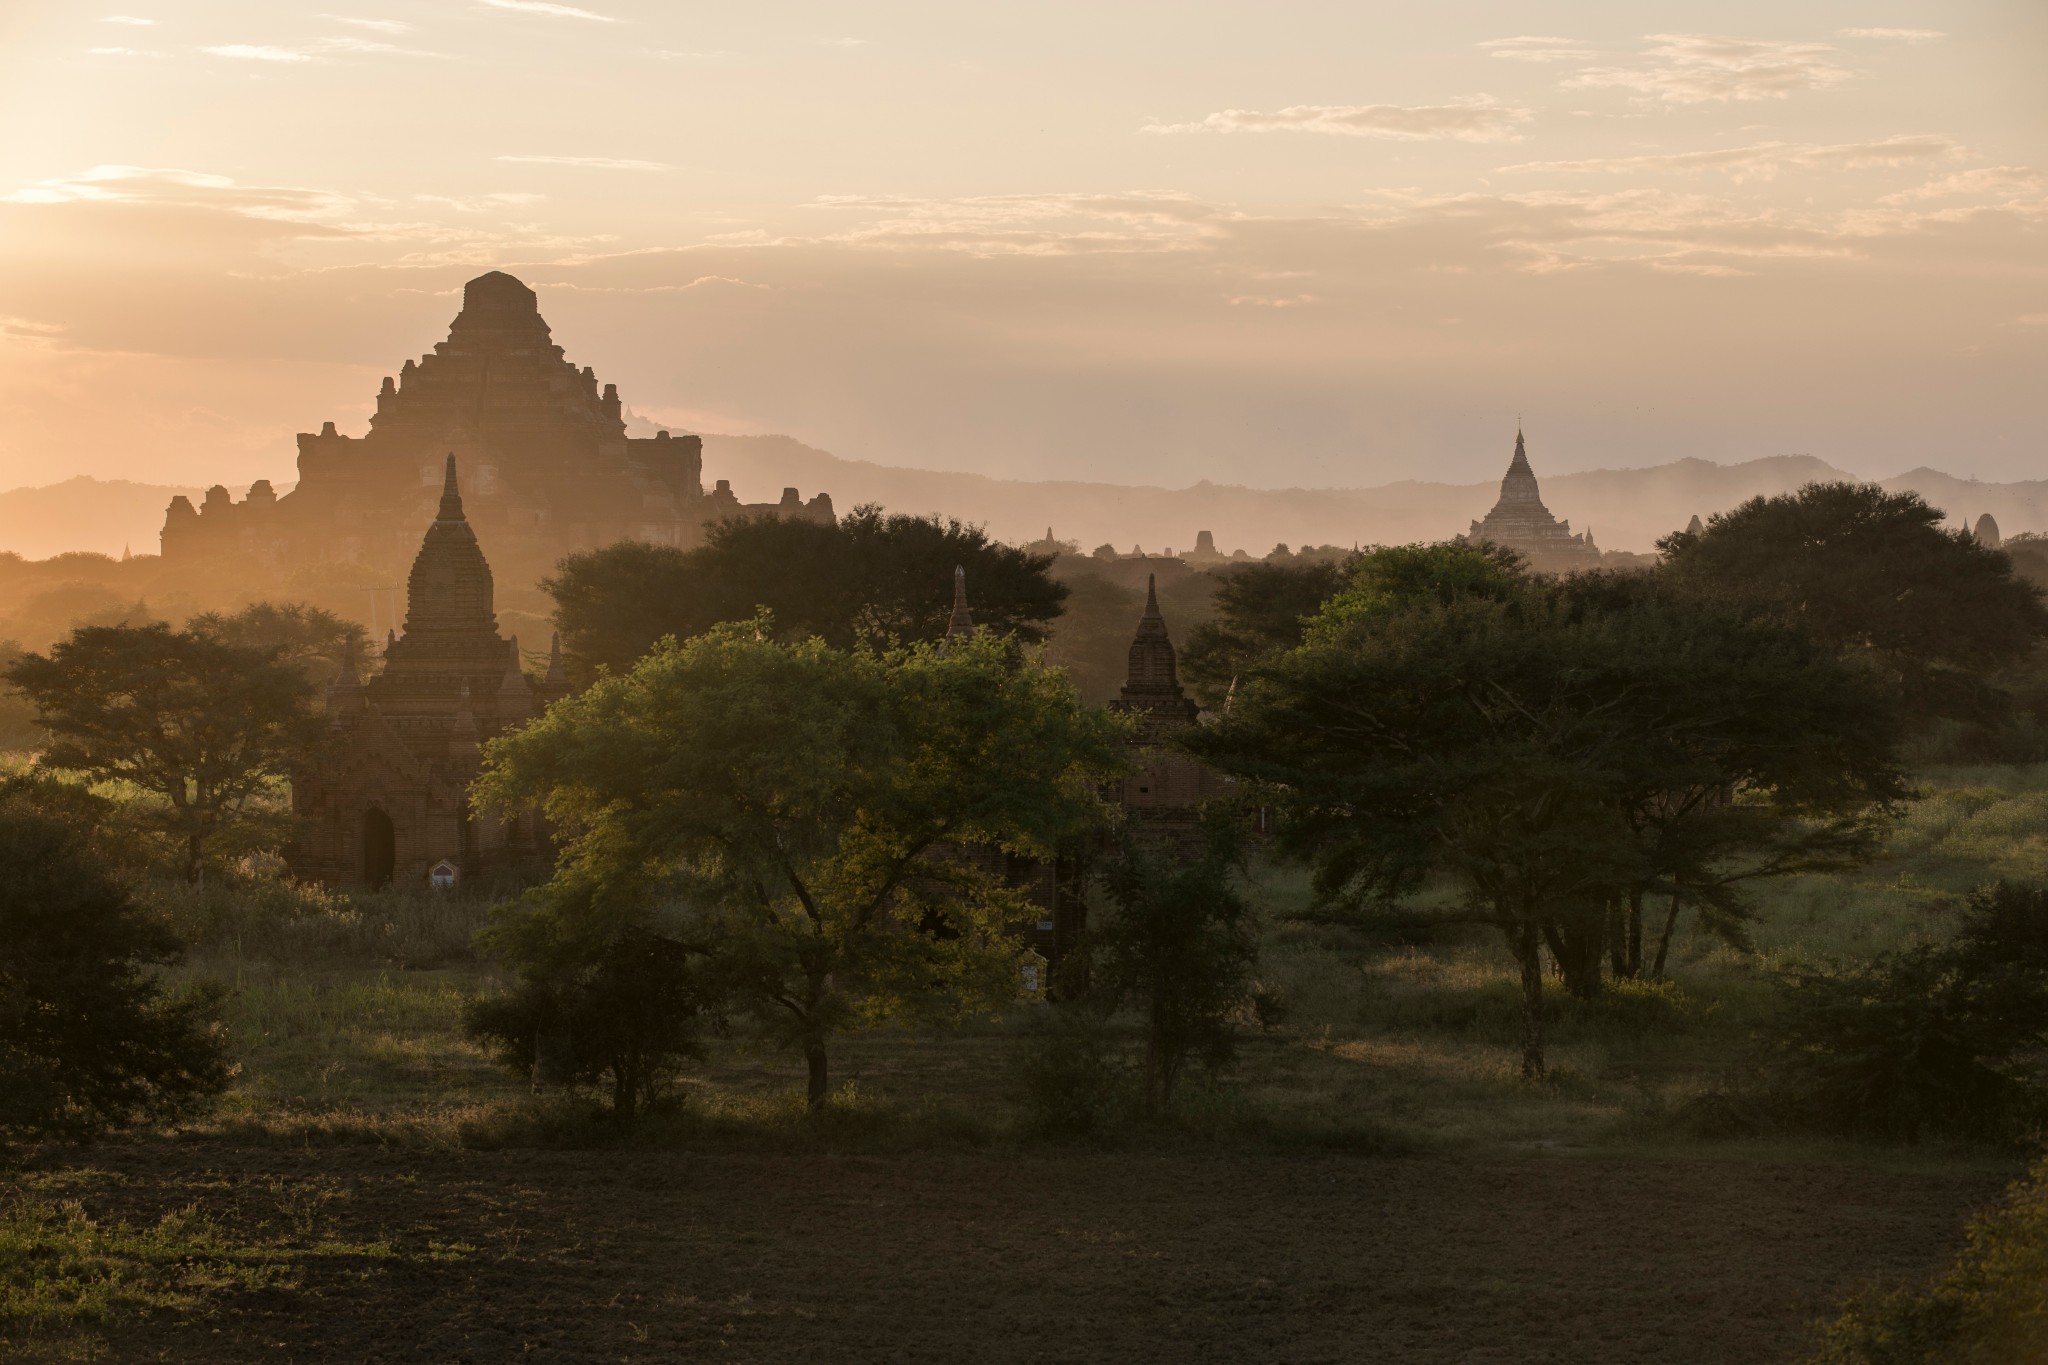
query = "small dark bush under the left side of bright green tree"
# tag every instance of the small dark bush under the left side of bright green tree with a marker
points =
(628, 1016)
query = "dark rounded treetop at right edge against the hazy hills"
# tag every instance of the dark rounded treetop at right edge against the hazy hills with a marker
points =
(1873, 574)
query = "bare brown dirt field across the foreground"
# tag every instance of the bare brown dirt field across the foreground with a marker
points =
(1035, 1258)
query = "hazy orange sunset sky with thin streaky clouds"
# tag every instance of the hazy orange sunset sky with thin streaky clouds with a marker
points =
(1281, 245)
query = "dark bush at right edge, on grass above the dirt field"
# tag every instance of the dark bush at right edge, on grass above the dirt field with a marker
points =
(1924, 1041)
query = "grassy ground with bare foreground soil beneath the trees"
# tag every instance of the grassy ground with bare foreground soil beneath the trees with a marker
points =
(1373, 1180)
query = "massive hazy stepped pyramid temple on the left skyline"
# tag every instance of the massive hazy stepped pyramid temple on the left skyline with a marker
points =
(544, 449)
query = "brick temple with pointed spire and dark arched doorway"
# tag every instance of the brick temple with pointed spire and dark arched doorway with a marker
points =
(386, 799)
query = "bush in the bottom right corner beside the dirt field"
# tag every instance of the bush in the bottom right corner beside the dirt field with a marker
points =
(1988, 1309)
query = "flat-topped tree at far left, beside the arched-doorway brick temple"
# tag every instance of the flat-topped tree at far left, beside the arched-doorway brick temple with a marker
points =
(187, 719)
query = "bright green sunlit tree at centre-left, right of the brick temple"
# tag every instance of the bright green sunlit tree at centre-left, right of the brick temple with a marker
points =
(810, 816)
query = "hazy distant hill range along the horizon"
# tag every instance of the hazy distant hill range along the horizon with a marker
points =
(1625, 509)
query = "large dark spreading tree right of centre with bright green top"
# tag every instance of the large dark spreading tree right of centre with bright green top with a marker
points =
(1500, 738)
